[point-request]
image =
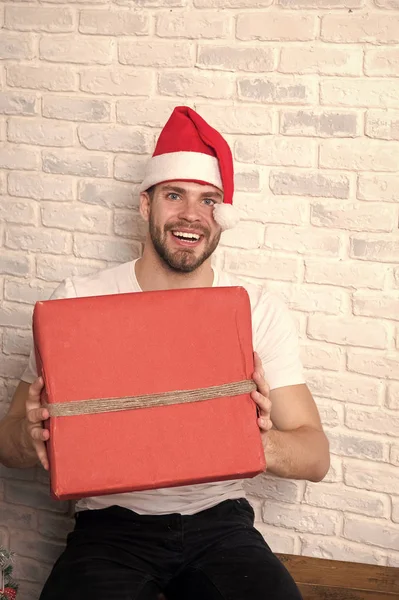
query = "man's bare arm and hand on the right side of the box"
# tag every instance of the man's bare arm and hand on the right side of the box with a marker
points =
(292, 434)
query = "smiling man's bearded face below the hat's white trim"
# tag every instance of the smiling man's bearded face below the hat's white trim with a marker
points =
(181, 224)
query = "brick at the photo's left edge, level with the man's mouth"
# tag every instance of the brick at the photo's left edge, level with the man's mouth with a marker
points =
(43, 240)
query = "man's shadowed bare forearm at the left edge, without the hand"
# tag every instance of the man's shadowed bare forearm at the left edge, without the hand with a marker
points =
(16, 447)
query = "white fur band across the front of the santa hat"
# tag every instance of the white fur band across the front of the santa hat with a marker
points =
(182, 165)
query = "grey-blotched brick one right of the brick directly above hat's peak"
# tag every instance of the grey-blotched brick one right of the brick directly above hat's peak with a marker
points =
(278, 90)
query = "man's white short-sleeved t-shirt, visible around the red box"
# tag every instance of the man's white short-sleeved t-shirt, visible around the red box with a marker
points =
(274, 339)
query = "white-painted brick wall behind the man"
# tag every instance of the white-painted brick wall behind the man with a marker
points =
(307, 94)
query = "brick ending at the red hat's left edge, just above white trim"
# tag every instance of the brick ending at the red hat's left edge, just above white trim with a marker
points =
(114, 138)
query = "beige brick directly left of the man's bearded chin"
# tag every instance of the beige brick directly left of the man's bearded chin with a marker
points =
(105, 248)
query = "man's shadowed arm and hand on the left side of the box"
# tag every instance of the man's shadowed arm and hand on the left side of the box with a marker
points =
(22, 435)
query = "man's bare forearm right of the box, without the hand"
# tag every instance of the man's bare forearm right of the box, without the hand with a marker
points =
(302, 453)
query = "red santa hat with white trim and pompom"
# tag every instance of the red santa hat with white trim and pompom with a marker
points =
(188, 149)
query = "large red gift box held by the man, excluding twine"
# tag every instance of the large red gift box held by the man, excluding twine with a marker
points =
(129, 345)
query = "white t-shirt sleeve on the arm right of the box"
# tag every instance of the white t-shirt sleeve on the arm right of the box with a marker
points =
(276, 342)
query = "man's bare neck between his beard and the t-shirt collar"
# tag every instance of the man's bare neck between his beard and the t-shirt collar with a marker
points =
(153, 274)
